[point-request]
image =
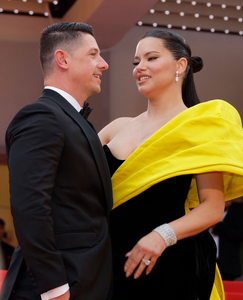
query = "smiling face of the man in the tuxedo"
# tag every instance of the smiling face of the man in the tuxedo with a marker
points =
(86, 67)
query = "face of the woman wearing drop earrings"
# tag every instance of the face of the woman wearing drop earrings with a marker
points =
(155, 67)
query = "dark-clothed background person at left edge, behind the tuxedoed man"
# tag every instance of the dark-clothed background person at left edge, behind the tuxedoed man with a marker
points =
(6, 251)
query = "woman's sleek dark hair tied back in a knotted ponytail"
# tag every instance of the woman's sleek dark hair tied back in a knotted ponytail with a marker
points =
(179, 48)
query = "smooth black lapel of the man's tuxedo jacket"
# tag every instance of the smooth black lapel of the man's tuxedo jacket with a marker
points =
(91, 137)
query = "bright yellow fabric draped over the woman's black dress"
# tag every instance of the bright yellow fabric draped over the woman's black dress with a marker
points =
(204, 138)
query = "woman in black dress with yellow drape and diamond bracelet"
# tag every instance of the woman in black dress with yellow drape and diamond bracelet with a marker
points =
(161, 161)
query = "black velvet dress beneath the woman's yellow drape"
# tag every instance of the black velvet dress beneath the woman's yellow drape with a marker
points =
(185, 270)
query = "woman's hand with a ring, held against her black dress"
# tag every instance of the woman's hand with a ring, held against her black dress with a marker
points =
(150, 247)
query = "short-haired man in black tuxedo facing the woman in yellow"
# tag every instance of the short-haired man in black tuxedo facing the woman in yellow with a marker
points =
(59, 181)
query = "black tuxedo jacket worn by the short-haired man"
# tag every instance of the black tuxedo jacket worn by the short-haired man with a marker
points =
(60, 194)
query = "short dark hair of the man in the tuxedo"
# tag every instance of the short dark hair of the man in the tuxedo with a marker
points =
(63, 35)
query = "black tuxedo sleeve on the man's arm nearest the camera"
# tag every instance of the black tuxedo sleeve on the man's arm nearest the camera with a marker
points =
(34, 146)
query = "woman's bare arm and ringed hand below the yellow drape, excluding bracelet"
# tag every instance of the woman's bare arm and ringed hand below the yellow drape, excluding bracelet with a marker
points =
(210, 211)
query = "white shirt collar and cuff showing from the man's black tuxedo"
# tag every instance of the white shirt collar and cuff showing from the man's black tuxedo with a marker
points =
(63, 288)
